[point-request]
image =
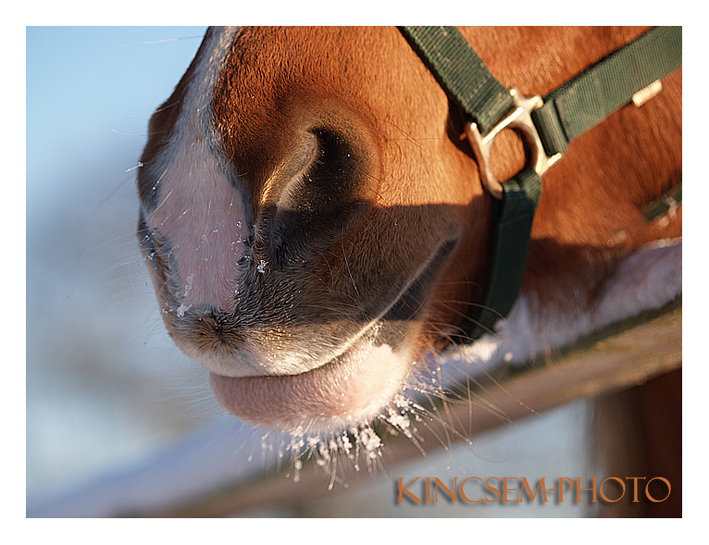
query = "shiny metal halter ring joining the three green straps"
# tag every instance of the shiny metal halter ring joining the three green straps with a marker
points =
(520, 120)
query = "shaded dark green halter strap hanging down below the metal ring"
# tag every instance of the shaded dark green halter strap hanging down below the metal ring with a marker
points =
(512, 225)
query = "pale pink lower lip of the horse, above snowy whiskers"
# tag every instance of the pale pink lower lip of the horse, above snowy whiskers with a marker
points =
(347, 390)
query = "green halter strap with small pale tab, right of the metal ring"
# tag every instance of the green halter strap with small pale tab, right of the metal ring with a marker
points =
(593, 95)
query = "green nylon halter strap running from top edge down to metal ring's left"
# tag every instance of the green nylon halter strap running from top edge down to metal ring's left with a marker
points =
(461, 73)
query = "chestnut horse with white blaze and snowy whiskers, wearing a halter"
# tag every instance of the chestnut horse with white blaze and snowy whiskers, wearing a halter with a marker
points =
(316, 223)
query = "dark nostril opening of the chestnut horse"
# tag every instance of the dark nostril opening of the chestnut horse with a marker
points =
(323, 201)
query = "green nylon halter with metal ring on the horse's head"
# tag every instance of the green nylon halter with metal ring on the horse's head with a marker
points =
(547, 126)
